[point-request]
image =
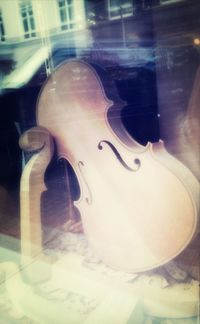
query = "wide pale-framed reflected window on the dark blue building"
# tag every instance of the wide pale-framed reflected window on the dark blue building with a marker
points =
(120, 8)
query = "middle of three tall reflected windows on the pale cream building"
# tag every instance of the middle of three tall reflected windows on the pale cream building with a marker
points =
(28, 20)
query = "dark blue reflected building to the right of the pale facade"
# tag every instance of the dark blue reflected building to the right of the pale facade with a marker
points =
(132, 19)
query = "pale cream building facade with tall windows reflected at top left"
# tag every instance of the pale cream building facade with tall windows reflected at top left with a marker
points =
(25, 19)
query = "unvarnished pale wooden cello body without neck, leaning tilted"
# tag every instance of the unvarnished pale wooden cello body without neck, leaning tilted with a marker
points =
(138, 204)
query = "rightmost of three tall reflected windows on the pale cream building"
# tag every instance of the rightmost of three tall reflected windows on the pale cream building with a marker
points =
(66, 11)
